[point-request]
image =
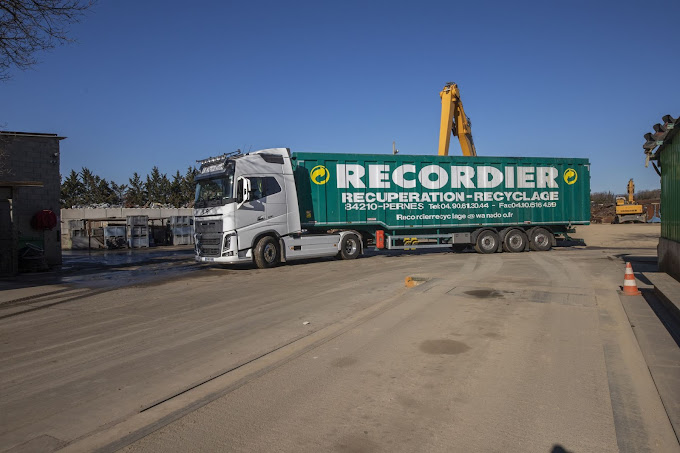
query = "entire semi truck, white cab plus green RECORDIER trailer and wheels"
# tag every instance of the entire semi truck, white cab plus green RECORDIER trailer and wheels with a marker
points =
(275, 205)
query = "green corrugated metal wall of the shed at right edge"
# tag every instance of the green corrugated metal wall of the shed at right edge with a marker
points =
(670, 190)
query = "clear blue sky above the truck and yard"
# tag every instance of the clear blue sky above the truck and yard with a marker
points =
(166, 82)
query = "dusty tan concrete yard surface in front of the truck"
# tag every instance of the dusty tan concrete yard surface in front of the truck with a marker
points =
(529, 352)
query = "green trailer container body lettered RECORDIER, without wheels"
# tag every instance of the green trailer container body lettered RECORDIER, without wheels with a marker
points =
(435, 193)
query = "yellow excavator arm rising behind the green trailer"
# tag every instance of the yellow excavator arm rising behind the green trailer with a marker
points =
(454, 121)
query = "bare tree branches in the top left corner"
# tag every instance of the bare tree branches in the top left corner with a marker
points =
(31, 26)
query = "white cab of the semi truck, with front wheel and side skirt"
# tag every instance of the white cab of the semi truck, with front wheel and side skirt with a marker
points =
(246, 209)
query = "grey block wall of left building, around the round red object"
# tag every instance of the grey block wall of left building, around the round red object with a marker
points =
(33, 157)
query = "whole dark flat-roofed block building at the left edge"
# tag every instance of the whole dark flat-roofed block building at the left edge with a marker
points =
(30, 187)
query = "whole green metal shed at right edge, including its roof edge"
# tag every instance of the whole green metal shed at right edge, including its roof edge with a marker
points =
(663, 147)
